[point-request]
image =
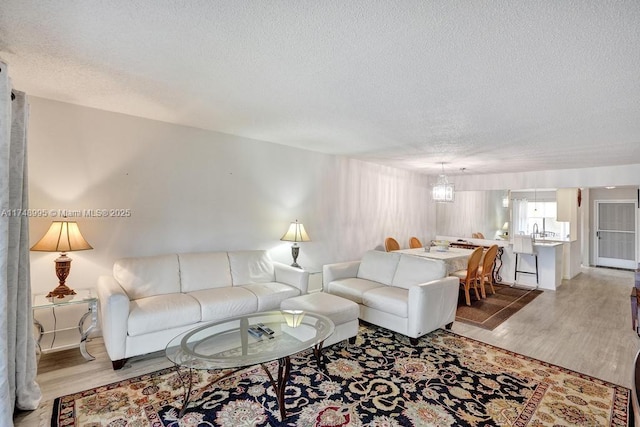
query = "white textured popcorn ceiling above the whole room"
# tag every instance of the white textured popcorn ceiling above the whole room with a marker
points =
(490, 86)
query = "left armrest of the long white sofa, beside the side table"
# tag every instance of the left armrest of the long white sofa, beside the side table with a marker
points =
(114, 311)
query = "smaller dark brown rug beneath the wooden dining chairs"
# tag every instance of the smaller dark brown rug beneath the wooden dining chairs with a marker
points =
(491, 311)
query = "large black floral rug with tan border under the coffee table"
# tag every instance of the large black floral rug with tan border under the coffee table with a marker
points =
(446, 380)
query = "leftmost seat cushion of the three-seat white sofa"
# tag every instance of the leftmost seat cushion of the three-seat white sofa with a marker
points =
(161, 312)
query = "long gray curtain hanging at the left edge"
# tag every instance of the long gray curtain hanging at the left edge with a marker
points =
(18, 367)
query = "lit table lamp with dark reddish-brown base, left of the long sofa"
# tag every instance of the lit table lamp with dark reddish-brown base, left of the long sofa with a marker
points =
(62, 236)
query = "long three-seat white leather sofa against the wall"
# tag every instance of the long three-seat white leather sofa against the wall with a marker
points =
(150, 300)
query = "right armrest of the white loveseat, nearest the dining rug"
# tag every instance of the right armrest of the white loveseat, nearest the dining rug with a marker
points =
(432, 305)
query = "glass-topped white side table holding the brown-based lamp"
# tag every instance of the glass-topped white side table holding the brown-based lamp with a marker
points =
(83, 296)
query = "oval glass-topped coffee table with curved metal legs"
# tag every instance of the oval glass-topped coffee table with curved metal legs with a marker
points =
(249, 340)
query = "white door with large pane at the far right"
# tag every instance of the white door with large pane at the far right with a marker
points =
(616, 234)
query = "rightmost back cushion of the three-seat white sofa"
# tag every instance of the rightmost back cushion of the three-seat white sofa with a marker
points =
(251, 267)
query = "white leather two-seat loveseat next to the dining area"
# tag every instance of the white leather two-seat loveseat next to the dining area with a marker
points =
(406, 294)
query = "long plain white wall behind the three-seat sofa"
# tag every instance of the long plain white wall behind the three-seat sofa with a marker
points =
(195, 190)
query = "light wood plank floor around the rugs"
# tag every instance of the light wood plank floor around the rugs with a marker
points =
(585, 326)
